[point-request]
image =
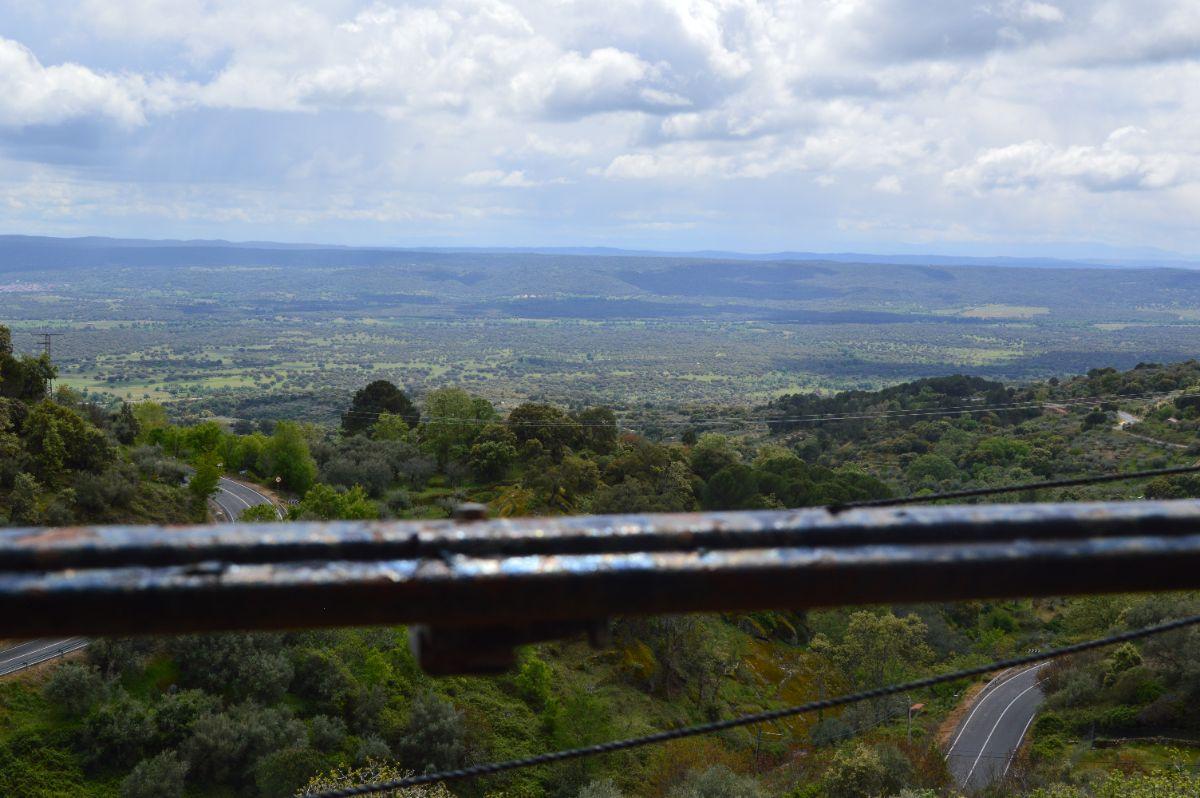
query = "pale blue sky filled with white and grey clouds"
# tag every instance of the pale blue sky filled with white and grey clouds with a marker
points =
(958, 127)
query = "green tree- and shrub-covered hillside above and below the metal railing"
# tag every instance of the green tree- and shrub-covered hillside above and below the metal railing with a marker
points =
(269, 715)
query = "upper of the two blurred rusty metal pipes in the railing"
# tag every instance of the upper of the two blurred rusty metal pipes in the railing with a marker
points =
(87, 548)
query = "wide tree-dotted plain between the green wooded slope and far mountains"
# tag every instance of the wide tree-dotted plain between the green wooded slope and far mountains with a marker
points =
(268, 337)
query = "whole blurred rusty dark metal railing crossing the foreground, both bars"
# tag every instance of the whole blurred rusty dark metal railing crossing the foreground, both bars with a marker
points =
(477, 589)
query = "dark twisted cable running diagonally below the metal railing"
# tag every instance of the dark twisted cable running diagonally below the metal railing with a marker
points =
(493, 769)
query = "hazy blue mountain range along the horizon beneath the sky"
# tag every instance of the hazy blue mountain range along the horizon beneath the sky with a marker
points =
(29, 253)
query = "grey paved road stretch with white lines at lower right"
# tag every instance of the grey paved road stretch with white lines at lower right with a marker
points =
(989, 736)
